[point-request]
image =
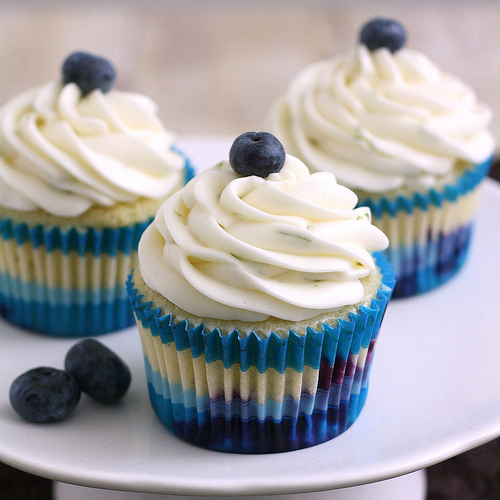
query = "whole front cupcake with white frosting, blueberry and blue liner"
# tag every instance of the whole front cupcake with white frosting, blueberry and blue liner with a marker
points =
(259, 296)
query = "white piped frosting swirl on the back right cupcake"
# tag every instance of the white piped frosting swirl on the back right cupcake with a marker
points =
(382, 121)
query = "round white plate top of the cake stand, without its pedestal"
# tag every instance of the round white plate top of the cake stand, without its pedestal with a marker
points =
(434, 393)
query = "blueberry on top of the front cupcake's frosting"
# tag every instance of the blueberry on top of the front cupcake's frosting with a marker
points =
(257, 153)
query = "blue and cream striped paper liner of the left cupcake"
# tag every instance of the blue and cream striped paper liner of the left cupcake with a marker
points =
(68, 282)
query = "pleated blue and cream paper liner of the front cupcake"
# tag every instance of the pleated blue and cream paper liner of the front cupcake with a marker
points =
(259, 395)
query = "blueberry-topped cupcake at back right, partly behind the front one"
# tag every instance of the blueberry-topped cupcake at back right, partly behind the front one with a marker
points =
(410, 140)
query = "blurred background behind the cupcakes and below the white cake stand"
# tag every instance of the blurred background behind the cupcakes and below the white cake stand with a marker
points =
(214, 67)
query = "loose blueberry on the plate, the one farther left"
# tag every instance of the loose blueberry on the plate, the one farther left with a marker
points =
(44, 394)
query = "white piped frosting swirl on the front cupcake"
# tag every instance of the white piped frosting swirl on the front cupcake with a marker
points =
(290, 246)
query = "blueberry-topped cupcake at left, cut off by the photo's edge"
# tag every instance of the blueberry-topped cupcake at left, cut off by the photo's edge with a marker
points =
(83, 170)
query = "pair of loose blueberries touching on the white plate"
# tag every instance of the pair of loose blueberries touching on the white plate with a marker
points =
(46, 394)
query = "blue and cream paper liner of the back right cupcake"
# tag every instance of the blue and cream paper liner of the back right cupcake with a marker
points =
(429, 233)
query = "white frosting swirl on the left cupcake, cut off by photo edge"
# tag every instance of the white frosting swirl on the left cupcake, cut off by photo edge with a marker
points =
(64, 153)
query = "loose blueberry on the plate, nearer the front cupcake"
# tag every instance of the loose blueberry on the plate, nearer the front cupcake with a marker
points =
(99, 371)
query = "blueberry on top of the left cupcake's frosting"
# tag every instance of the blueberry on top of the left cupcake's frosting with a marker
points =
(88, 72)
